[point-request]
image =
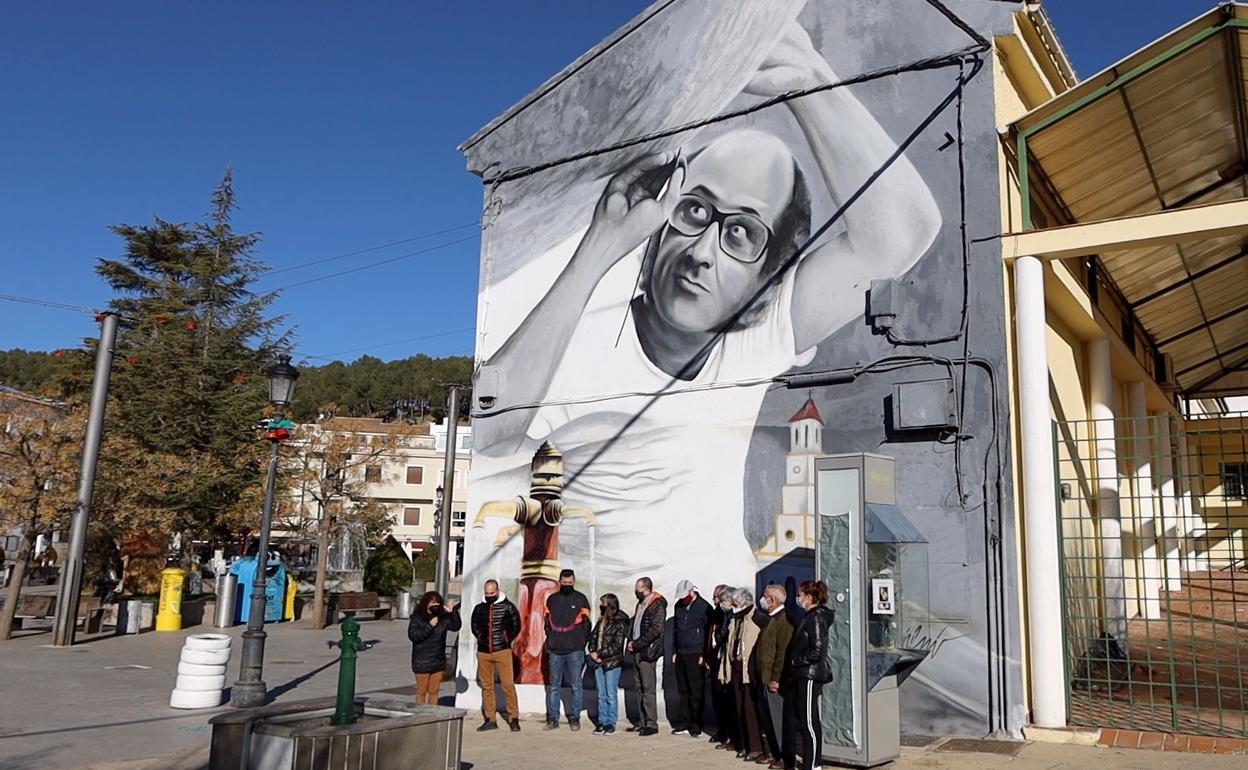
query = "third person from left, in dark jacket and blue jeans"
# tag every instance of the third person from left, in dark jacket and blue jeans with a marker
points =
(567, 631)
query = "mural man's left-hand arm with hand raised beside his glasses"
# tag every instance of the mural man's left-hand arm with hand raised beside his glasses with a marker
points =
(633, 207)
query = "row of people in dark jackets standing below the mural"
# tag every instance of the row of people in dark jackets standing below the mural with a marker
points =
(764, 668)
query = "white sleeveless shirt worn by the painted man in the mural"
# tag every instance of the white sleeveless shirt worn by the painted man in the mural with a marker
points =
(662, 467)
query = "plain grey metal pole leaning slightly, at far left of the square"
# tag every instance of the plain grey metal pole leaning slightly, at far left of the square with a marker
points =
(72, 576)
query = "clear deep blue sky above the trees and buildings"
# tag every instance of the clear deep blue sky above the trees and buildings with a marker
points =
(341, 123)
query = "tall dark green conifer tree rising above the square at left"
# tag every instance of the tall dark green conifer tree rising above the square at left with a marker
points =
(188, 385)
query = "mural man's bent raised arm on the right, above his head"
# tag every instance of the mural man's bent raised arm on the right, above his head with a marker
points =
(888, 228)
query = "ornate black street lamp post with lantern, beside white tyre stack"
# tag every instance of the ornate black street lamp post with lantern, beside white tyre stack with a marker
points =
(250, 690)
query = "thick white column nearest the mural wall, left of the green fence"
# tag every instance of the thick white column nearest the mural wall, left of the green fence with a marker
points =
(1045, 651)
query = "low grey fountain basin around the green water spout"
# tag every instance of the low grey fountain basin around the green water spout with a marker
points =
(390, 736)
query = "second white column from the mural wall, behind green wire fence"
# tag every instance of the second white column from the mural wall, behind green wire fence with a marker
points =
(1114, 587)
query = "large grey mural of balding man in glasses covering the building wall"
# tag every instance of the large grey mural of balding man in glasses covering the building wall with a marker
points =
(638, 305)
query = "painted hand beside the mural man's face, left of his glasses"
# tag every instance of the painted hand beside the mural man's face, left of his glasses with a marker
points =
(635, 205)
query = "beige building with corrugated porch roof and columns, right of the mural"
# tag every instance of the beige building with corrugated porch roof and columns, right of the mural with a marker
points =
(1125, 239)
